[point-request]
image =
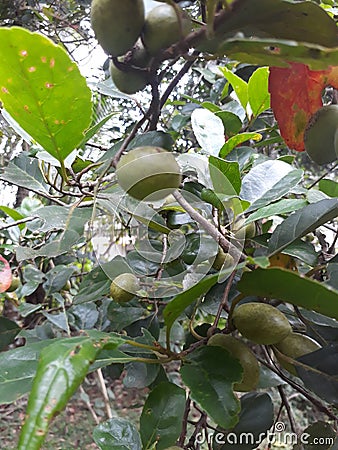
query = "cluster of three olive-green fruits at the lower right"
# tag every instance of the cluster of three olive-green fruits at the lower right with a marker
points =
(263, 324)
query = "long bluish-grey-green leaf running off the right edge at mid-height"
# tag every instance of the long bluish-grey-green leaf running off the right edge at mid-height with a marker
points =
(302, 222)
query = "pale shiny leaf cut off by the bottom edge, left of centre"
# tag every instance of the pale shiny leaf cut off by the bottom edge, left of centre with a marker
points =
(117, 434)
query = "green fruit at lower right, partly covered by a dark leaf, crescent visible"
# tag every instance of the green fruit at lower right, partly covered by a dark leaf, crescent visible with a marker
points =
(245, 356)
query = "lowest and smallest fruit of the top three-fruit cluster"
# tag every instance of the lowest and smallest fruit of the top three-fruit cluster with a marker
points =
(130, 81)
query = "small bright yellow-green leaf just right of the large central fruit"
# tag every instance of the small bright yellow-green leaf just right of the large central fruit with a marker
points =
(225, 176)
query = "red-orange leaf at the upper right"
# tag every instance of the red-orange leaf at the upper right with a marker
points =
(296, 94)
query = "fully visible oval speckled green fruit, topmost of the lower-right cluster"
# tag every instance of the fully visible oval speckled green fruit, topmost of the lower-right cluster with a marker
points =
(261, 323)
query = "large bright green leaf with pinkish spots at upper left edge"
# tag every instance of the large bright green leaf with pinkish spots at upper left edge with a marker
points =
(43, 90)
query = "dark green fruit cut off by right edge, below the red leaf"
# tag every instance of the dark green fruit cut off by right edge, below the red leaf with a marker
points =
(320, 135)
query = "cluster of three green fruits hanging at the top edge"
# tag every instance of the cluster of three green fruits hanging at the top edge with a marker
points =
(123, 30)
